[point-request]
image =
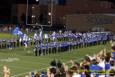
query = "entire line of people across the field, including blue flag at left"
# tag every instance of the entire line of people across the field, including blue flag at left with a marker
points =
(53, 42)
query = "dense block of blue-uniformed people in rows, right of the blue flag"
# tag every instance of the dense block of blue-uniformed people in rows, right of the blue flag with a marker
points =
(60, 42)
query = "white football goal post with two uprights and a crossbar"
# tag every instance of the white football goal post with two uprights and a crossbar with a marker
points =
(30, 16)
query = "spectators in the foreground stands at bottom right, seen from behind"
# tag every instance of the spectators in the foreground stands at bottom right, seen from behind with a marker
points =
(101, 64)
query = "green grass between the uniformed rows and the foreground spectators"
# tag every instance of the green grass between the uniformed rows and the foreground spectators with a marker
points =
(23, 62)
